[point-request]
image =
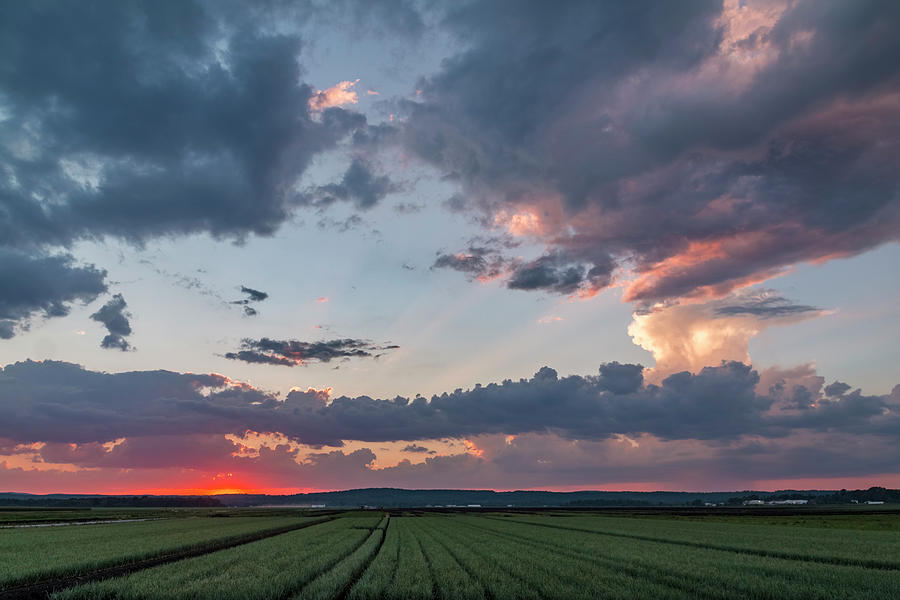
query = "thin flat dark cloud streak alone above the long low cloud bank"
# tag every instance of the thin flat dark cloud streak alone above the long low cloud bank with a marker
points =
(290, 353)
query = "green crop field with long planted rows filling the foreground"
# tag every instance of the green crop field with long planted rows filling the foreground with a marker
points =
(494, 556)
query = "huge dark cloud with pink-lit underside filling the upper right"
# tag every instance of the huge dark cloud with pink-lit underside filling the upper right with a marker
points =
(701, 152)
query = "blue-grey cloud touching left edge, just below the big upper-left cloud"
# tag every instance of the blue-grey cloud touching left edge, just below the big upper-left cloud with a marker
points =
(34, 283)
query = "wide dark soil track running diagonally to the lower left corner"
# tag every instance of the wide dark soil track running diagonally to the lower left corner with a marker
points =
(40, 590)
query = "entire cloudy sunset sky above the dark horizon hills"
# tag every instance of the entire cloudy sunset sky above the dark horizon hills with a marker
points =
(297, 246)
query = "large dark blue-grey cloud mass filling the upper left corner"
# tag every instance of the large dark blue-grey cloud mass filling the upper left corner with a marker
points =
(146, 119)
